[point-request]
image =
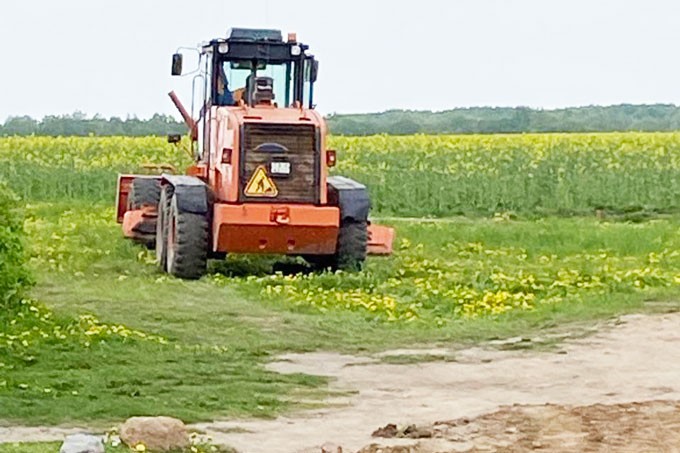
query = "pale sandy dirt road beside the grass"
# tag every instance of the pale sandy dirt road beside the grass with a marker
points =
(635, 361)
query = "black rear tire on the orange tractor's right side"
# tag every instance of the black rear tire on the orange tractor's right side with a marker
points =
(350, 252)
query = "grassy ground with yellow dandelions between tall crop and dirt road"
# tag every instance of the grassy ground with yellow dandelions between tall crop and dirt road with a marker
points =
(196, 350)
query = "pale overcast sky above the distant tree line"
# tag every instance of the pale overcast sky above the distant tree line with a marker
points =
(113, 57)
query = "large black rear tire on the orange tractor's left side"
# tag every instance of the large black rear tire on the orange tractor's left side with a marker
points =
(187, 243)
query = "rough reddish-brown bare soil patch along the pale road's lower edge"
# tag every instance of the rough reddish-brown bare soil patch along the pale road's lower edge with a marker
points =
(630, 427)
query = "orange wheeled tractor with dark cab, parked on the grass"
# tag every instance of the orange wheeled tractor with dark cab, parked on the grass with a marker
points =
(260, 182)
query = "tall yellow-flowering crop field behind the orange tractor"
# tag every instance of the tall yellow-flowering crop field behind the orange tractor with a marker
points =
(420, 176)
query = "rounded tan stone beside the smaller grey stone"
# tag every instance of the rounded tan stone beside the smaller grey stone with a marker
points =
(158, 434)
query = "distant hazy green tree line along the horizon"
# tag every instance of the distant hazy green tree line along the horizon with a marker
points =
(484, 120)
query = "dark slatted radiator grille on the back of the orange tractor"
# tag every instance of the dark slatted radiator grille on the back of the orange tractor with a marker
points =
(297, 144)
